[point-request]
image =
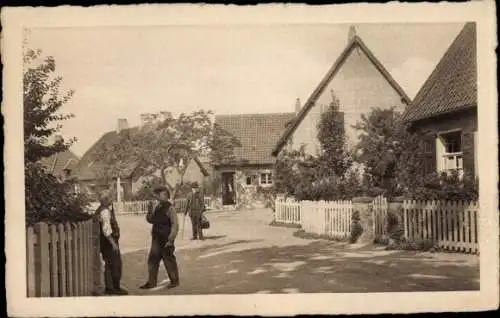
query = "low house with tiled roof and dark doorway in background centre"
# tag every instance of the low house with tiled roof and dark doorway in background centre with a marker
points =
(246, 179)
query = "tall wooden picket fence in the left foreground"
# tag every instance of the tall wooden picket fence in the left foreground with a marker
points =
(60, 259)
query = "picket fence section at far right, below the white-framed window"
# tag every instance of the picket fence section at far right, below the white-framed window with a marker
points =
(452, 225)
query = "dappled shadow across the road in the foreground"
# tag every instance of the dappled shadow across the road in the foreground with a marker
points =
(318, 267)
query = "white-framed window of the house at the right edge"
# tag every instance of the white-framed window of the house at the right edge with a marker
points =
(449, 149)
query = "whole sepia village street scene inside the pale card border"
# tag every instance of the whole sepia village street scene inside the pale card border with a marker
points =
(264, 159)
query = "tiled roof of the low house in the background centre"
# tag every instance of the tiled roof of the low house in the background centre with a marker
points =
(257, 134)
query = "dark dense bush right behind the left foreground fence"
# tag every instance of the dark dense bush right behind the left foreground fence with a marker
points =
(49, 200)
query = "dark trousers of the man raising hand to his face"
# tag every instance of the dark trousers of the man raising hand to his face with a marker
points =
(160, 252)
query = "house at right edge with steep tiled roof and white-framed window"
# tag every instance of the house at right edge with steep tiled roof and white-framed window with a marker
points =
(445, 108)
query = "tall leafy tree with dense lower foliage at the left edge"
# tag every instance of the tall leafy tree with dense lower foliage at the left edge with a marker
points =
(46, 198)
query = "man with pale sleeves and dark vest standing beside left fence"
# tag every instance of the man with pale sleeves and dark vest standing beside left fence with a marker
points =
(110, 248)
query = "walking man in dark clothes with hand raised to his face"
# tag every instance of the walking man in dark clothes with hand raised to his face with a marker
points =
(164, 232)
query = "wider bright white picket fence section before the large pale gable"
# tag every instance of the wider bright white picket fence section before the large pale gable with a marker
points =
(329, 218)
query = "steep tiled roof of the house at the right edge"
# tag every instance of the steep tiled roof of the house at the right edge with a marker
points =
(452, 86)
